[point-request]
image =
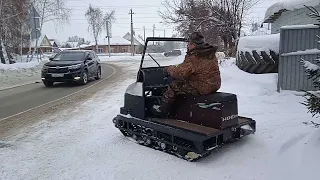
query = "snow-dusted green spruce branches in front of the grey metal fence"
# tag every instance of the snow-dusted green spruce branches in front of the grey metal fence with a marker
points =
(312, 98)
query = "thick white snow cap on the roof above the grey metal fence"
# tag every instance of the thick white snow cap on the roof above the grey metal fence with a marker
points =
(289, 5)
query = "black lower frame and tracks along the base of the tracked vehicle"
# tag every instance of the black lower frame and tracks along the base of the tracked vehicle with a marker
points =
(181, 143)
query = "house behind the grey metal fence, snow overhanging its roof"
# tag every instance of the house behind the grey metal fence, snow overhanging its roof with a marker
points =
(290, 13)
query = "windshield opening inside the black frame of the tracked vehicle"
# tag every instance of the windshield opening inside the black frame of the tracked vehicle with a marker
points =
(165, 53)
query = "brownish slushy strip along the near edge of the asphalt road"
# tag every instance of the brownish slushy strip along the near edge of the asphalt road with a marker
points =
(17, 124)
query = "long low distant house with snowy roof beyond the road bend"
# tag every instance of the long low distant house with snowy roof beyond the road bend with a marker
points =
(117, 45)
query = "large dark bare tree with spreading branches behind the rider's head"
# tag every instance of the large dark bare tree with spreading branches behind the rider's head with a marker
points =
(219, 20)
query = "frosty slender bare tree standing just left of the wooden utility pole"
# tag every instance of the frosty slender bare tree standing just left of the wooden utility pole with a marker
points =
(97, 21)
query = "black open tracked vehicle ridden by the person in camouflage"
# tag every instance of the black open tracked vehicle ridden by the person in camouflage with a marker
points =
(196, 125)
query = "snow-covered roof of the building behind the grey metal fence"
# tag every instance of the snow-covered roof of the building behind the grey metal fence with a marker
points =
(275, 11)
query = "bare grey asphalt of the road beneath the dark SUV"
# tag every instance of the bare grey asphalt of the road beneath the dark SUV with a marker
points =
(22, 98)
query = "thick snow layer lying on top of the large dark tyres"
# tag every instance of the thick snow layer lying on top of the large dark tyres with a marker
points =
(259, 43)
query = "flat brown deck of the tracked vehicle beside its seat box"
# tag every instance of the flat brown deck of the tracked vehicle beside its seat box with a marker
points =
(195, 127)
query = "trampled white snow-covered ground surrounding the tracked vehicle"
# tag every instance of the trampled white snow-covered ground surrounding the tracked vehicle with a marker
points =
(82, 143)
